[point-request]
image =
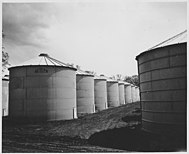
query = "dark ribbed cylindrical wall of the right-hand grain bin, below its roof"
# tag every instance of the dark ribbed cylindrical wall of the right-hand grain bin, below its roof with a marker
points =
(163, 84)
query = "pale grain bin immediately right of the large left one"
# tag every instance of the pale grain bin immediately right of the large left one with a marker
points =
(85, 93)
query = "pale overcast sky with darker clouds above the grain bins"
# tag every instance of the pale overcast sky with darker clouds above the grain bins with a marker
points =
(102, 36)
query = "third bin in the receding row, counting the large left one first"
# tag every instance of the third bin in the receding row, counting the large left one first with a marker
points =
(100, 93)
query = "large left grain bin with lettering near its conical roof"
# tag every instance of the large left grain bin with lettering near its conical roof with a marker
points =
(42, 89)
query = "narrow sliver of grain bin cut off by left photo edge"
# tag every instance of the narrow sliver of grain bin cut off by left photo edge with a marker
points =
(5, 96)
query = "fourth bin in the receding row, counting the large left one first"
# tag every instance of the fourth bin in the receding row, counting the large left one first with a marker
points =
(112, 93)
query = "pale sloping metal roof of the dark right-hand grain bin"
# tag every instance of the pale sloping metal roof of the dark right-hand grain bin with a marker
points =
(179, 38)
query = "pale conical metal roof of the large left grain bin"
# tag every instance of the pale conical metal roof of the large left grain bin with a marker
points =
(44, 59)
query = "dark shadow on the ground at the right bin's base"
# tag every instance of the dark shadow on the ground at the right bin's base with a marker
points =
(133, 139)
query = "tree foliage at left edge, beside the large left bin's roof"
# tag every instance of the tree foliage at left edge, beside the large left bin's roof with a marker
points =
(5, 56)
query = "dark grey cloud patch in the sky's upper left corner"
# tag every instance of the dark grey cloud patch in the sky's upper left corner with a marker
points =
(24, 24)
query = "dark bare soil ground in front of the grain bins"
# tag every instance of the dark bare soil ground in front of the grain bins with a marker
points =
(112, 130)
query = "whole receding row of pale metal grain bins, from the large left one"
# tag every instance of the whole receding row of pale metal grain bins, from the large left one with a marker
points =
(46, 89)
